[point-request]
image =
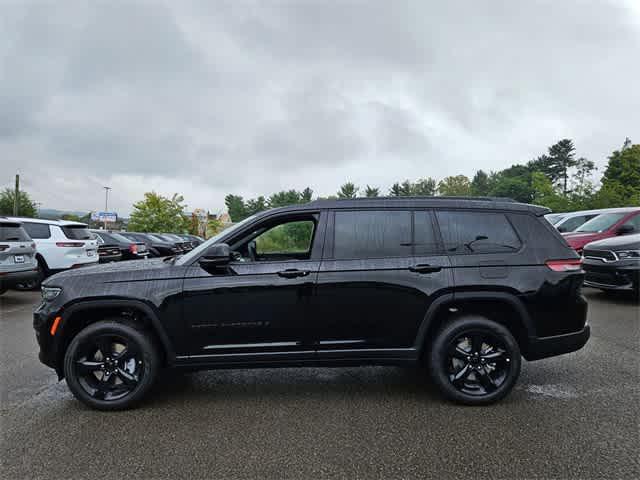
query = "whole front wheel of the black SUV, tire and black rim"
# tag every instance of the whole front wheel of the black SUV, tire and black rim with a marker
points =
(117, 380)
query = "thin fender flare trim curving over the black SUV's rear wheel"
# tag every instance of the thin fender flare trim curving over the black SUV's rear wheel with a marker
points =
(450, 298)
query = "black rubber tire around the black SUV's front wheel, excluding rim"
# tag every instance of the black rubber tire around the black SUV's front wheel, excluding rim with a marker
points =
(150, 364)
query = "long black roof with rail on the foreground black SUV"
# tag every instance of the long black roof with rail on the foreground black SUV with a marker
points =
(492, 203)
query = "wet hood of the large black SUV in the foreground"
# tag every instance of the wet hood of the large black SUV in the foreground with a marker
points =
(126, 269)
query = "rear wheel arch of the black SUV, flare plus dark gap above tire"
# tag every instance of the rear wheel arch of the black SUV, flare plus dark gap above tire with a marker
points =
(504, 308)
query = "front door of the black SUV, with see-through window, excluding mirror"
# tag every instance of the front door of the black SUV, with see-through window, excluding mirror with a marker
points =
(257, 307)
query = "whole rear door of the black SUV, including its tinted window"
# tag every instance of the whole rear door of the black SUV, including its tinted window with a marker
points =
(380, 272)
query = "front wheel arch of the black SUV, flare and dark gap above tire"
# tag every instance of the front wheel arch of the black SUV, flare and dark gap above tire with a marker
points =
(79, 315)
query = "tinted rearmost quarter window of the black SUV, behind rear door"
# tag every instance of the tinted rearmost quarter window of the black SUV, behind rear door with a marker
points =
(477, 232)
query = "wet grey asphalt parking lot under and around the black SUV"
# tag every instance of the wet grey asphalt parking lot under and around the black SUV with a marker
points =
(569, 417)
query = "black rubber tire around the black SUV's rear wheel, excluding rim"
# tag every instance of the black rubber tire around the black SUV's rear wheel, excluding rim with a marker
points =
(438, 355)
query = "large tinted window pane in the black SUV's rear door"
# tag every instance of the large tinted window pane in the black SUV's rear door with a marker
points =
(372, 234)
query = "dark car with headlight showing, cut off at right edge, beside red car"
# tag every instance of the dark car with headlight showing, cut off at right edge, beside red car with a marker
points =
(613, 263)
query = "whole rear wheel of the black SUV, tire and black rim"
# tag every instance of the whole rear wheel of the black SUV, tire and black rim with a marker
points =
(467, 378)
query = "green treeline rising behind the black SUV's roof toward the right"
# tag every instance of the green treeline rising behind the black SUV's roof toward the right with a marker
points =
(558, 179)
